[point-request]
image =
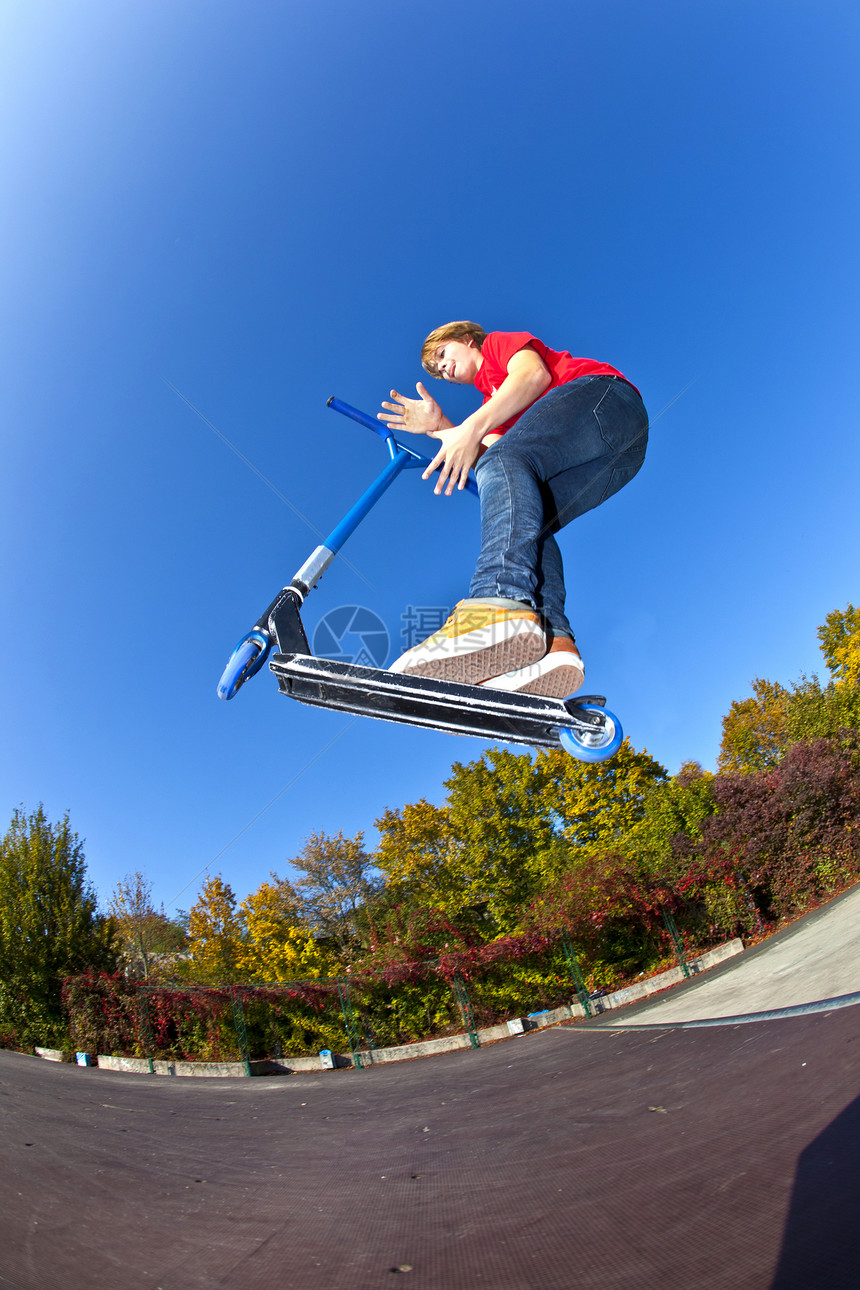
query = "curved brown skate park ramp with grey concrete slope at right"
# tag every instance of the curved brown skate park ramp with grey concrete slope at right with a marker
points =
(707, 1158)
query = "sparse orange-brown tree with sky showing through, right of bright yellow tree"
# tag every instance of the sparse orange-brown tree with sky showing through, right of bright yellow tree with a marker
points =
(338, 886)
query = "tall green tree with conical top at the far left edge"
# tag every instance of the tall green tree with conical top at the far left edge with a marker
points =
(50, 926)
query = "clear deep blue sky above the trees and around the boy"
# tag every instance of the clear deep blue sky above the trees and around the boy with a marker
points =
(266, 204)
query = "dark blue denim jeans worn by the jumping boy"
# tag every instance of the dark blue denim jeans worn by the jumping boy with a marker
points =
(576, 447)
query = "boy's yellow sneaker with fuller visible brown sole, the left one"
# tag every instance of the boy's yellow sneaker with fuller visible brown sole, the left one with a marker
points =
(483, 638)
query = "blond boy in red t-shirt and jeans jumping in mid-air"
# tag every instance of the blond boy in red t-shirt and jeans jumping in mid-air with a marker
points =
(555, 438)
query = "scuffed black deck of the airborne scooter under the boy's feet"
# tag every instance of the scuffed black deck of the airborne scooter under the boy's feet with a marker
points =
(422, 701)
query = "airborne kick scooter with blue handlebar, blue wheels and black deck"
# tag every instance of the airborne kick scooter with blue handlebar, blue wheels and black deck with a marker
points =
(583, 726)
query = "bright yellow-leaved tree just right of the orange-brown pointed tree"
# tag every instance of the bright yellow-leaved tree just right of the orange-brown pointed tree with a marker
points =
(277, 946)
